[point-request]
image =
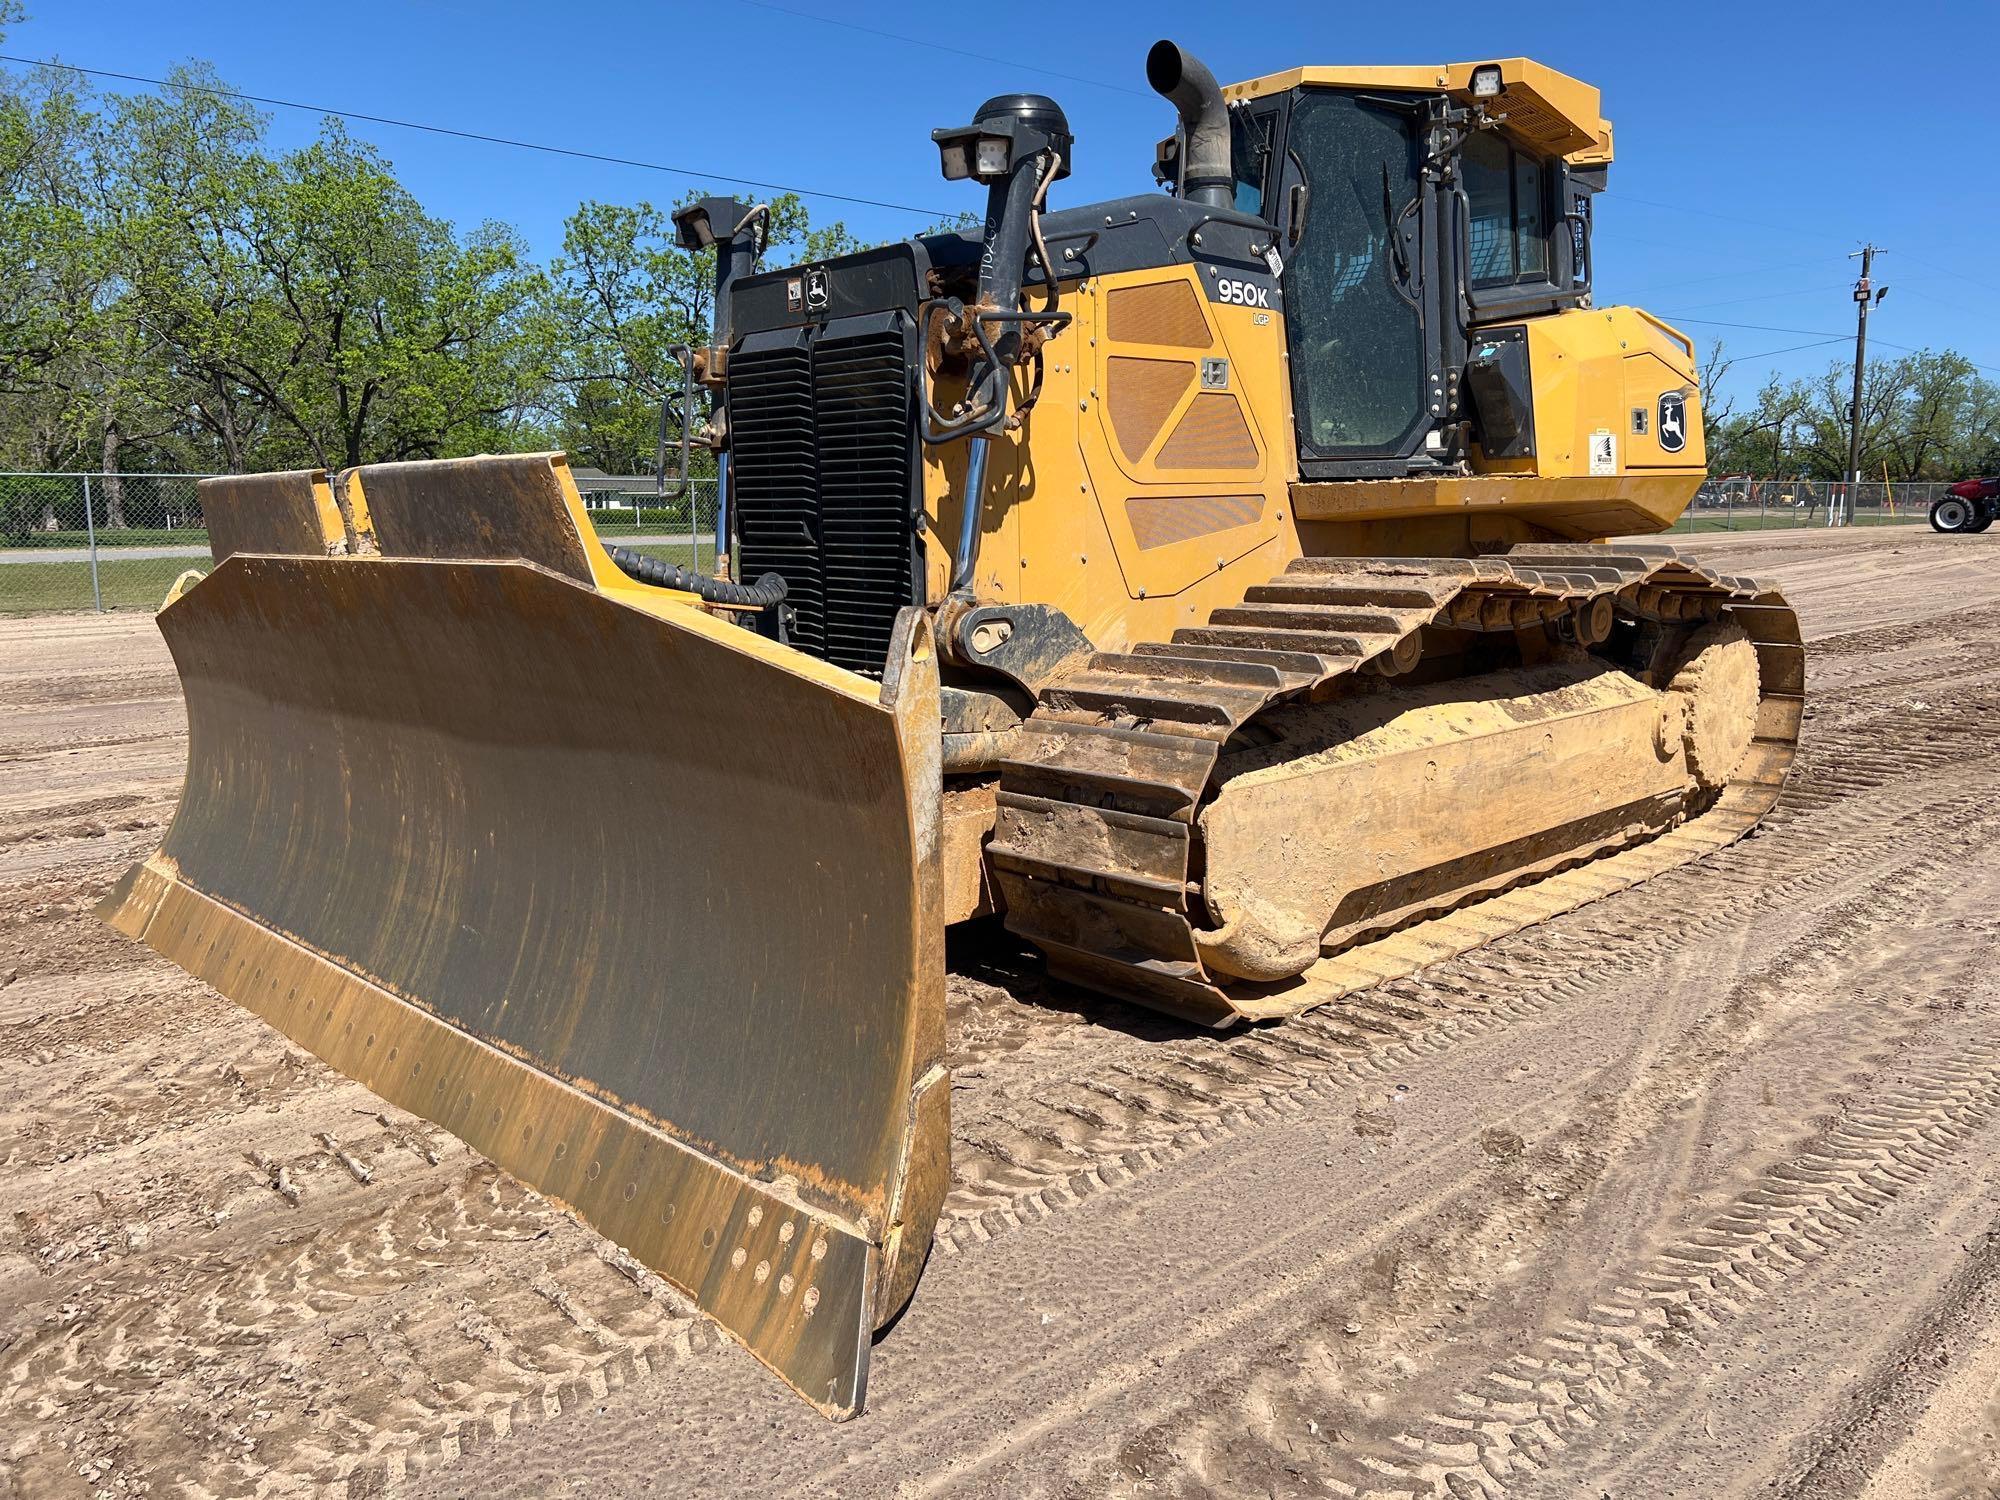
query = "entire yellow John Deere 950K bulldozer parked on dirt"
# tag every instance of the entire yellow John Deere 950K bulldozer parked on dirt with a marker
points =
(1207, 585)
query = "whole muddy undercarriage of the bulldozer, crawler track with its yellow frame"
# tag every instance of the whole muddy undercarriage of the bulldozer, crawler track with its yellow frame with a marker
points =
(1647, 695)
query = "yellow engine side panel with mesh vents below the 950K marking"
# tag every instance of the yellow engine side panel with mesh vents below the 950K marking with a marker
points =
(1149, 485)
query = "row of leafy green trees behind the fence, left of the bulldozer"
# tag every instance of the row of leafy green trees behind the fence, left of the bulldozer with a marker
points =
(173, 295)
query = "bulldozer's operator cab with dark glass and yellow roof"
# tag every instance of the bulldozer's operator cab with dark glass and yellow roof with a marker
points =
(1413, 207)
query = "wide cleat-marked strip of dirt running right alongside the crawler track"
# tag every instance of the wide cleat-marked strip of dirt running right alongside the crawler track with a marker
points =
(1143, 1099)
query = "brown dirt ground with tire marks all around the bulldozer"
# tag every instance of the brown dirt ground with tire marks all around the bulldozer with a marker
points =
(1691, 1193)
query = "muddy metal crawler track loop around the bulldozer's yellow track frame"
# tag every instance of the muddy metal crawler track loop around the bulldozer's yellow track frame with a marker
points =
(1097, 843)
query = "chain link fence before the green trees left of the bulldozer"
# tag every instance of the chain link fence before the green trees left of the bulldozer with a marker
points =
(121, 541)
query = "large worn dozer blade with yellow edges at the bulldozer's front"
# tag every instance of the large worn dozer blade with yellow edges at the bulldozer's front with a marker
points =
(633, 901)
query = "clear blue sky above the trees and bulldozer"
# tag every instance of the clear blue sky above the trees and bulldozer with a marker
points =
(1757, 143)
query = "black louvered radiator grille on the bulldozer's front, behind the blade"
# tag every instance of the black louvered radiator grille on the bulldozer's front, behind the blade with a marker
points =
(823, 453)
